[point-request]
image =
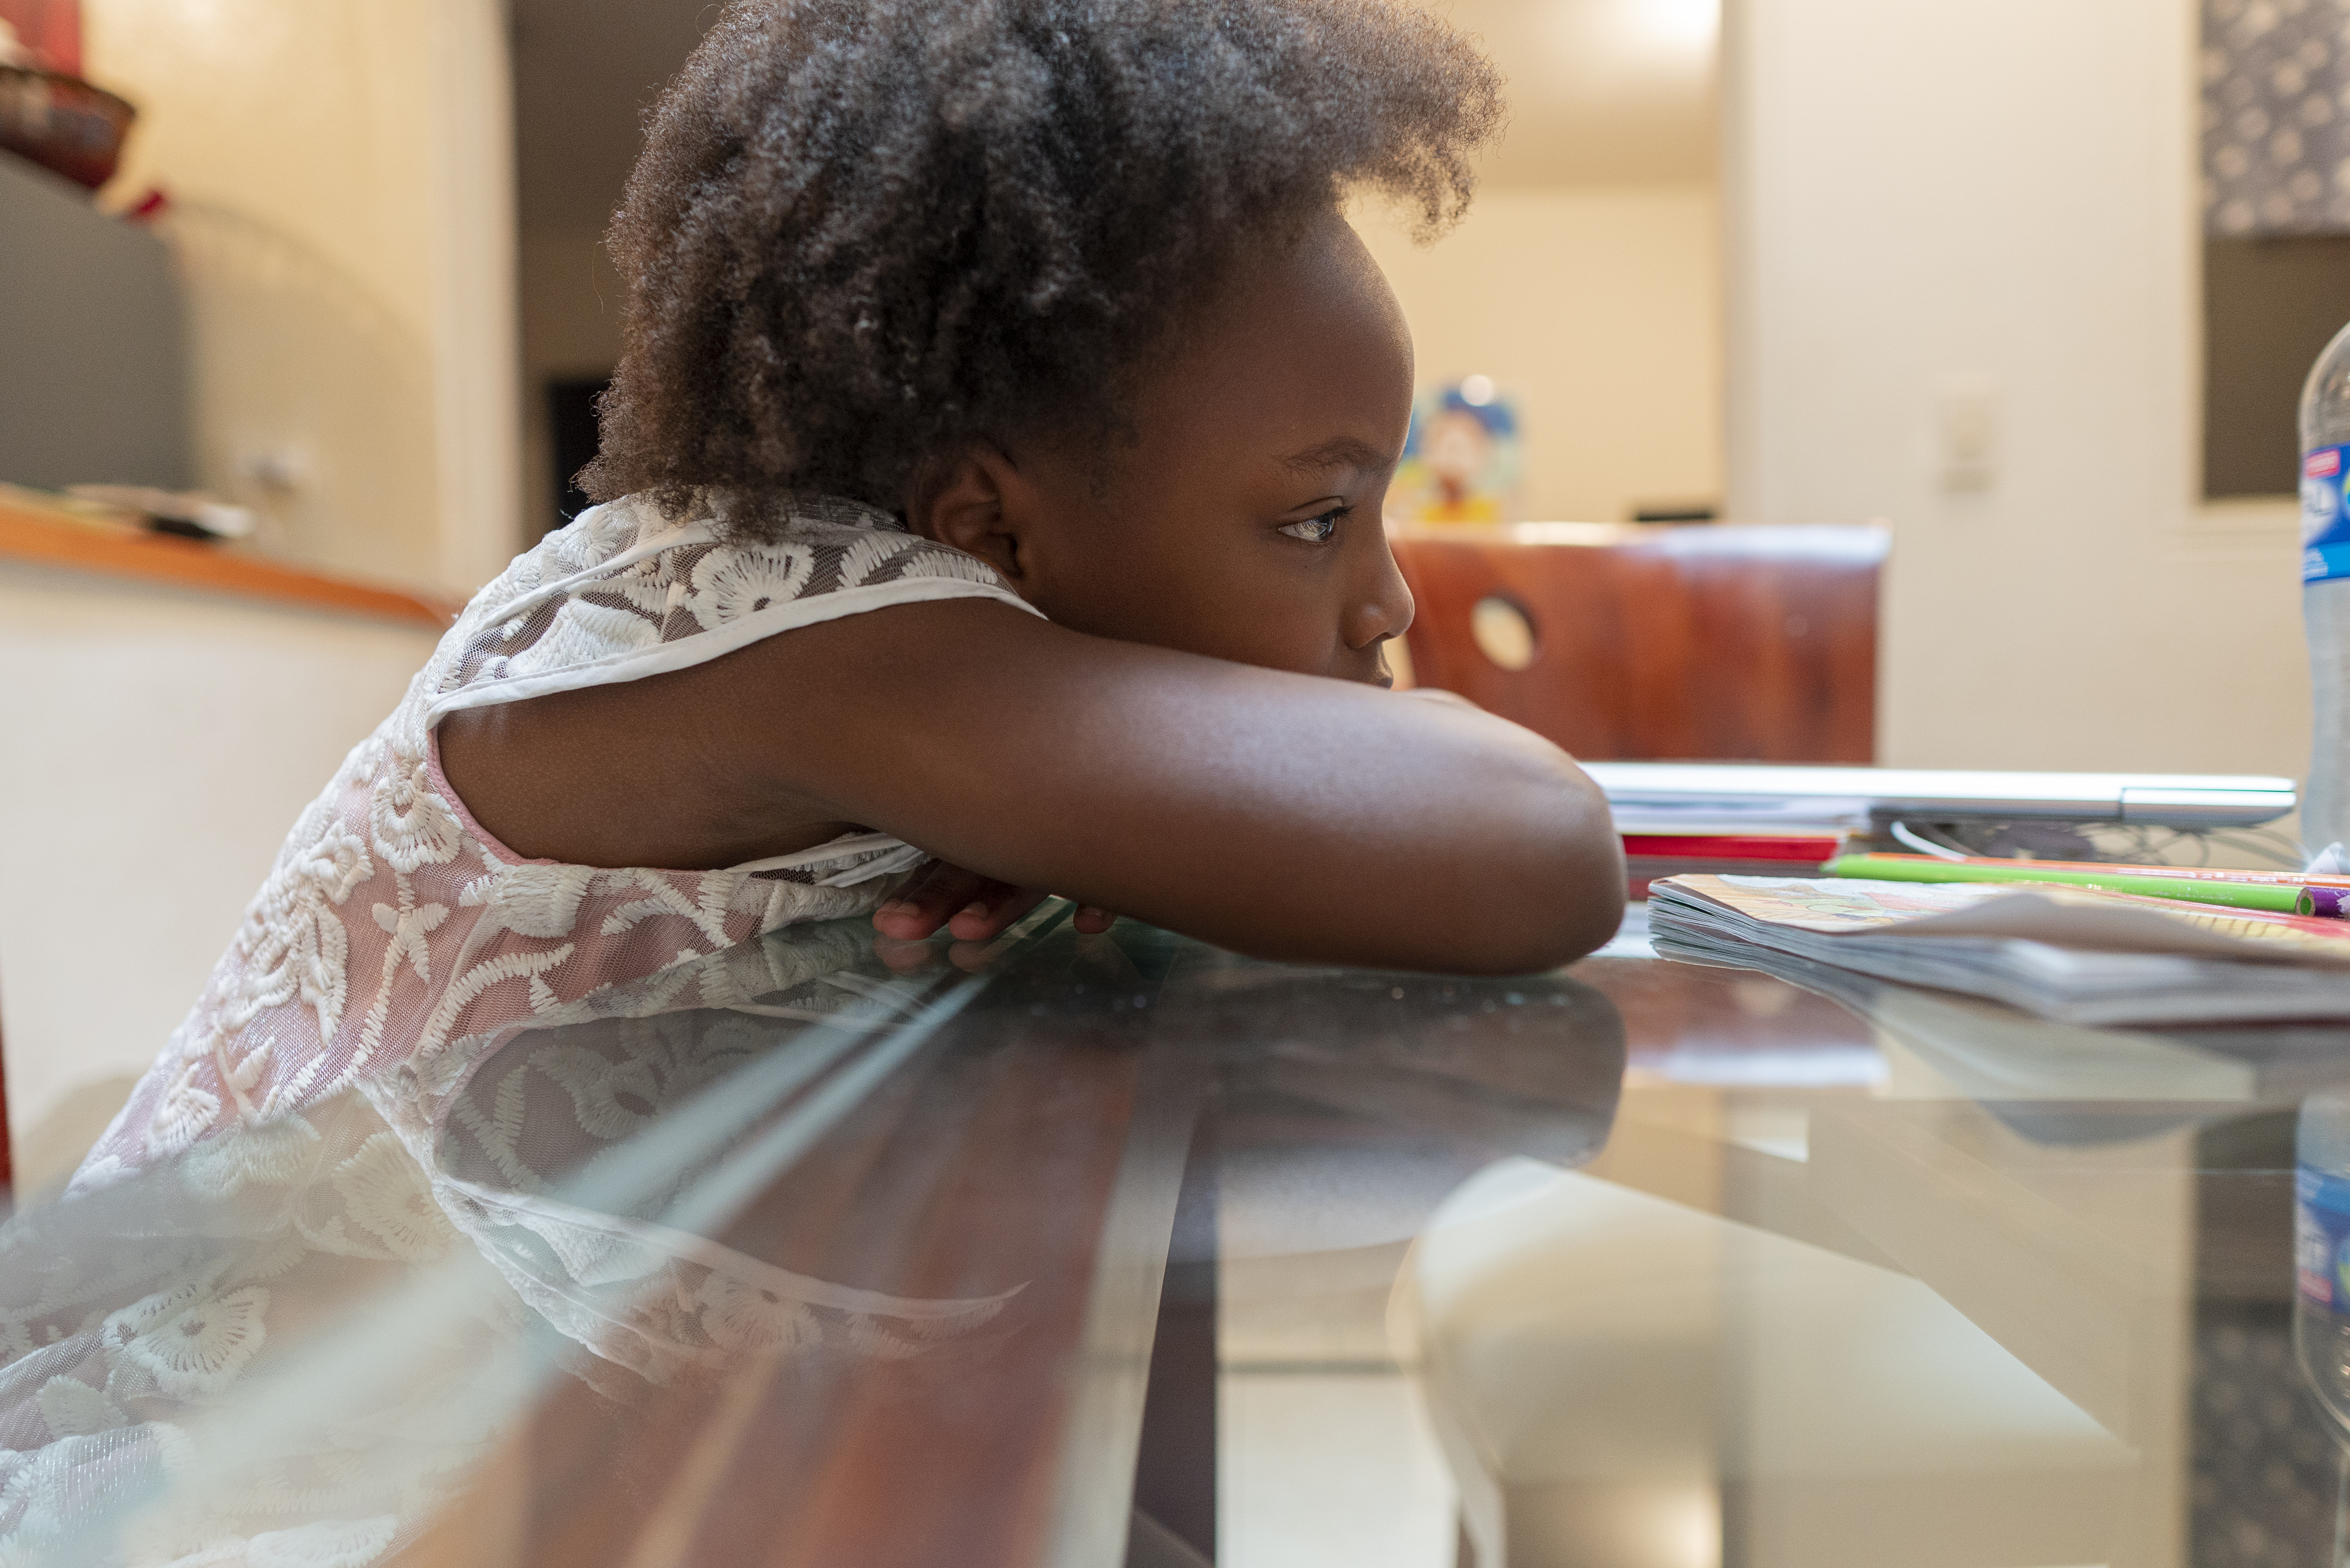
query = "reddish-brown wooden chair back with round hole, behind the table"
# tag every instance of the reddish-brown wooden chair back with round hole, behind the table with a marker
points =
(1658, 643)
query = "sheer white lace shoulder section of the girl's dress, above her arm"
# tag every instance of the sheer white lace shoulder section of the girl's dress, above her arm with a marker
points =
(626, 591)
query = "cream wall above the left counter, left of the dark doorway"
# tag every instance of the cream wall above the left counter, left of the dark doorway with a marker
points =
(347, 227)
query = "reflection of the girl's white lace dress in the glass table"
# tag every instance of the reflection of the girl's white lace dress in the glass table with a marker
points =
(161, 1336)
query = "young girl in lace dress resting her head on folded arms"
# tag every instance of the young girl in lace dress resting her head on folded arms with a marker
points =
(991, 507)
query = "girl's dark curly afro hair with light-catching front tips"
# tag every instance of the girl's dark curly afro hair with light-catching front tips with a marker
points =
(866, 232)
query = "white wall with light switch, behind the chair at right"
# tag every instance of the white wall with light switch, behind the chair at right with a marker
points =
(2001, 196)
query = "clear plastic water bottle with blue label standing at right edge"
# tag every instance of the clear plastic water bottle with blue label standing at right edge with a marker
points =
(2325, 589)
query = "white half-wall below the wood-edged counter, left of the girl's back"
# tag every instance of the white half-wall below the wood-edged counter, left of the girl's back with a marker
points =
(154, 753)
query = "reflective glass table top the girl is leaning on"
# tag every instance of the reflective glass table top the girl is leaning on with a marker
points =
(1122, 1249)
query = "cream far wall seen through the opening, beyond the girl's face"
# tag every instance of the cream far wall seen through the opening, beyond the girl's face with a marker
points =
(1599, 309)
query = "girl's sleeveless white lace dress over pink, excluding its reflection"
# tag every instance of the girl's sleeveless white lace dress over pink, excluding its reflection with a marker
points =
(398, 942)
